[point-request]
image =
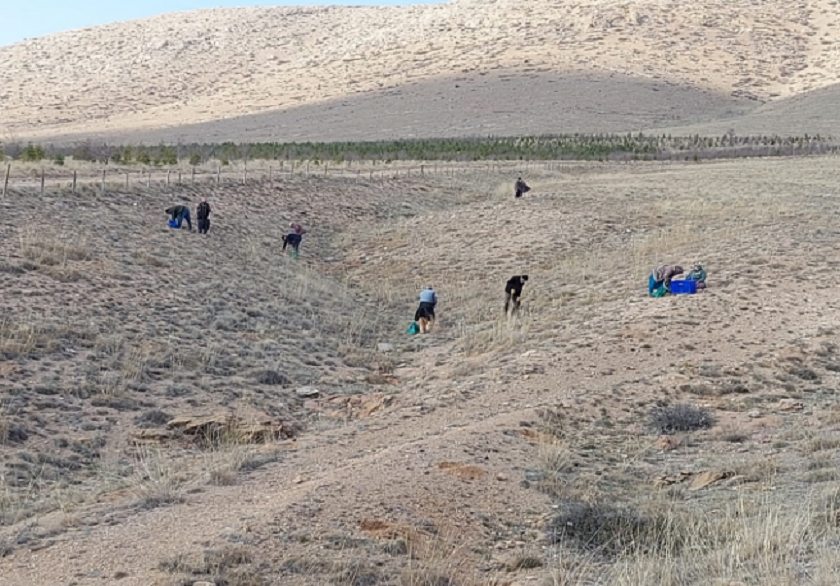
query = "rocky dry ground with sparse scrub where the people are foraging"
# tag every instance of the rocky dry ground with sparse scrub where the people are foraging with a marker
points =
(600, 437)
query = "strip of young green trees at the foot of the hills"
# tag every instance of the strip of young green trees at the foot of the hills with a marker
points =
(562, 147)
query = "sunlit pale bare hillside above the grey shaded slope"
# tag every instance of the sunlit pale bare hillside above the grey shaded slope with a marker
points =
(196, 67)
